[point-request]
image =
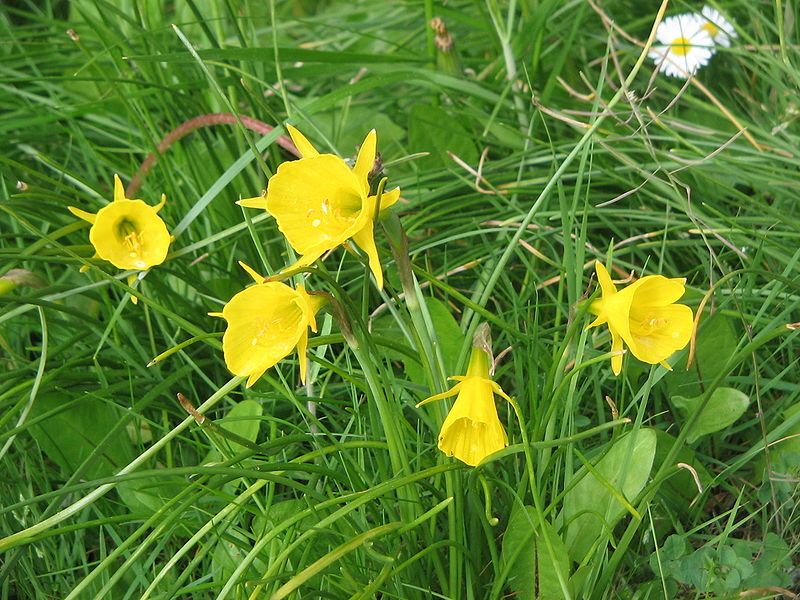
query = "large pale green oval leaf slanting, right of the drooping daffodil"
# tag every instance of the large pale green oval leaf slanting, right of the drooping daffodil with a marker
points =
(590, 508)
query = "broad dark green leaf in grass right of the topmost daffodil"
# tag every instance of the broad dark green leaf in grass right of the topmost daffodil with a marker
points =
(431, 129)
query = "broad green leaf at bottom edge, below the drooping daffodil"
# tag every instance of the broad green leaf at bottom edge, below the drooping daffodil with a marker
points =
(531, 565)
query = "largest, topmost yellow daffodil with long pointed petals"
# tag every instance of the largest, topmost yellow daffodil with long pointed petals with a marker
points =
(319, 202)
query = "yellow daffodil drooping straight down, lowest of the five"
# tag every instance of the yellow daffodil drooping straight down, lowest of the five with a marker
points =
(472, 430)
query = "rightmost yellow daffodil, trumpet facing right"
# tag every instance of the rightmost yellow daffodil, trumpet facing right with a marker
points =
(644, 317)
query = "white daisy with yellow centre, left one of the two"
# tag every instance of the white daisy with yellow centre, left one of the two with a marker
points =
(684, 45)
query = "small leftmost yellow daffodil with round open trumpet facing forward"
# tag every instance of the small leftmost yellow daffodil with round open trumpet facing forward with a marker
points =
(127, 233)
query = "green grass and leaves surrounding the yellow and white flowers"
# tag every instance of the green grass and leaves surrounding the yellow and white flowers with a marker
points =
(538, 160)
